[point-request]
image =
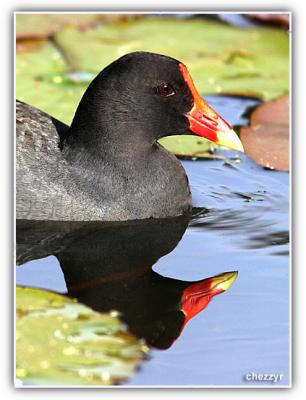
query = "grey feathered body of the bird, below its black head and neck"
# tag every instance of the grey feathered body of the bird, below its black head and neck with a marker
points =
(50, 187)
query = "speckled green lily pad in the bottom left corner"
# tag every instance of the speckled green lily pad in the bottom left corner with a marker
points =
(62, 342)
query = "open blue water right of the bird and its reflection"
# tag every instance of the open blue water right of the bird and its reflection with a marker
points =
(245, 329)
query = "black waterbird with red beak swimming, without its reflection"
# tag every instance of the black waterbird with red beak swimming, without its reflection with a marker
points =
(108, 164)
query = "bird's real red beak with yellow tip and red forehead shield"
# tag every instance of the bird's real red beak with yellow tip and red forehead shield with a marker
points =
(206, 122)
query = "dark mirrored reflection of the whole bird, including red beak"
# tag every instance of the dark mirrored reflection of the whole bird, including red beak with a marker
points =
(109, 267)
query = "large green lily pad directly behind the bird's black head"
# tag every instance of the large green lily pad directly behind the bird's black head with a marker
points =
(221, 58)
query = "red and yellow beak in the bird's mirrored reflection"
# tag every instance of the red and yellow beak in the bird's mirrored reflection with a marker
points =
(197, 296)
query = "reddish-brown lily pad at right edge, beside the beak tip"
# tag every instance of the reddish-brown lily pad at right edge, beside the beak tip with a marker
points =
(266, 140)
